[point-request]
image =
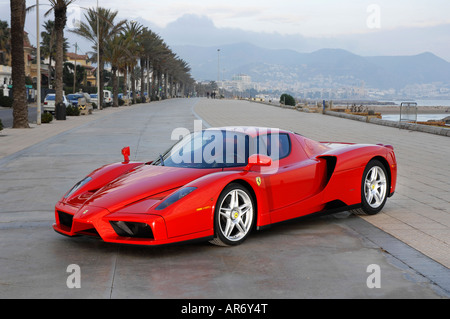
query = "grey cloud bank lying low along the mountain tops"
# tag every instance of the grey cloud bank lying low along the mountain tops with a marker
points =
(202, 31)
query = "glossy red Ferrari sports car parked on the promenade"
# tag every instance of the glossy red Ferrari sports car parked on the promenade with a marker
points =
(220, 184)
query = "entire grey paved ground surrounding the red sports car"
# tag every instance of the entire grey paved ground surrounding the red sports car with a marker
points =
(324, 257)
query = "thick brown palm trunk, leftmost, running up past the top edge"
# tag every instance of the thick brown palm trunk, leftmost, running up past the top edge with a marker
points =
(20, 107)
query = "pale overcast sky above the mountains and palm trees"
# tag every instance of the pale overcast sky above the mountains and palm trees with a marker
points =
(309, 18)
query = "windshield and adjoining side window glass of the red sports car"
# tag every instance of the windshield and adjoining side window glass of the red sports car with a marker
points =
(222, 148)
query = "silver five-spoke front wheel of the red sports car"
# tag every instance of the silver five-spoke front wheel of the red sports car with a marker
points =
(234, 216)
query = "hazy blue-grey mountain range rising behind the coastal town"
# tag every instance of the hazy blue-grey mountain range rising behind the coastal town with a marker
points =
(331, 66)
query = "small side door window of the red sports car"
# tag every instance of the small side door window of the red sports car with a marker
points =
(277, 146)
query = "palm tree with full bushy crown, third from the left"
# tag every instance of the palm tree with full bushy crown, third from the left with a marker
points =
(106, 30)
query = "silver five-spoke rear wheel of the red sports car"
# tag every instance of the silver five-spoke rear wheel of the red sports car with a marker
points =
(374, 189)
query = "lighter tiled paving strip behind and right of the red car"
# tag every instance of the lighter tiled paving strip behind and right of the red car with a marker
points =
(419, 212)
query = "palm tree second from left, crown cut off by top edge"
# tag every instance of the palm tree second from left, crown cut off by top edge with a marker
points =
(59, 8)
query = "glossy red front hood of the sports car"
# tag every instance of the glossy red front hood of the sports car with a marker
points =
(143, 182)
